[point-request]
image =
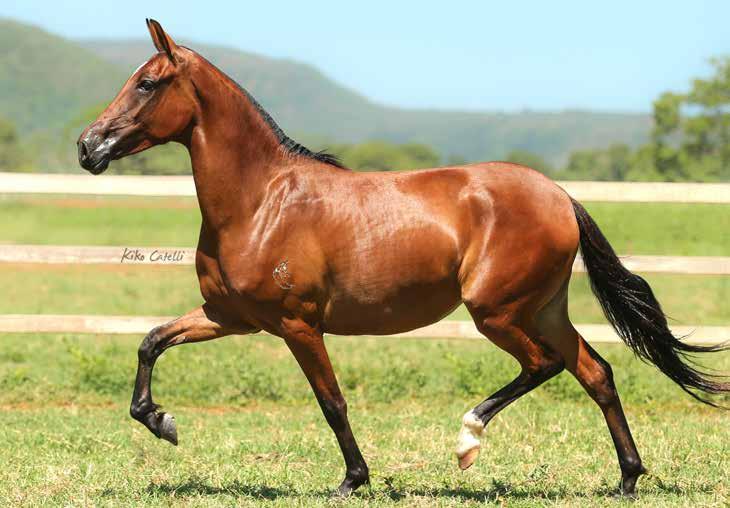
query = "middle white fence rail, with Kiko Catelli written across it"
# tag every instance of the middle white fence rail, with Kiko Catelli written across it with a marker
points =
(61, 254)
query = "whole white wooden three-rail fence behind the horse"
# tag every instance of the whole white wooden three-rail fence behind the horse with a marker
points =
(12, 183)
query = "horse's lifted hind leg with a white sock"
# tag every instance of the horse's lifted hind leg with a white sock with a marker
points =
(538, 364)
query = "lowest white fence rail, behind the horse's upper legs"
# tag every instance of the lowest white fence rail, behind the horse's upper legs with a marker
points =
(96, 324)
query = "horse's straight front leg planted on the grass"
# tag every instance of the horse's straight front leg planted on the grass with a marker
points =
(307, 345)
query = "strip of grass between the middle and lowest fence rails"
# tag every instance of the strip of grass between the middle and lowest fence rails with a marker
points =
(173, 290)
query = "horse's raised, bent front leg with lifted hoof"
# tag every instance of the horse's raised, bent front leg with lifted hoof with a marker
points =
(198, 325)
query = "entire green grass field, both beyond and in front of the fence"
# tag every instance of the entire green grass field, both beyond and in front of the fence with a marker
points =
(250, 431)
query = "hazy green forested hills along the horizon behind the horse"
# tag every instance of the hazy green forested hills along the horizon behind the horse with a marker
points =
(47, 81)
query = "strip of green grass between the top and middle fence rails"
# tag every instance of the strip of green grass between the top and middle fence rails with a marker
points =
(632, 228)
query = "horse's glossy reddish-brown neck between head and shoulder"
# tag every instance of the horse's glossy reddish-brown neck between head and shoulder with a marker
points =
(233, 151)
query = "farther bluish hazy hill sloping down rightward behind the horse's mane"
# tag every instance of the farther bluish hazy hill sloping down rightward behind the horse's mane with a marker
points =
(304, 101)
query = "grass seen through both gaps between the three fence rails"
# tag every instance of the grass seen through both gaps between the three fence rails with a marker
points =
(674, 229)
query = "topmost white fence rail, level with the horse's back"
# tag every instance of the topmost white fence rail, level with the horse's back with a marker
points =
(37, 183)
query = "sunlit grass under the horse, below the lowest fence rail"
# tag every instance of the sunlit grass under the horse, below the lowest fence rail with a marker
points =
(251, 433)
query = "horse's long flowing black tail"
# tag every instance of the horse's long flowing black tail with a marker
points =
(630, 306)
